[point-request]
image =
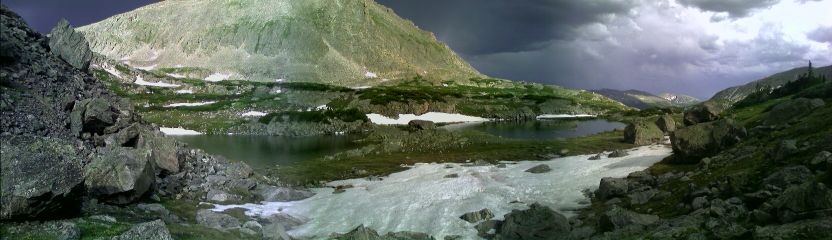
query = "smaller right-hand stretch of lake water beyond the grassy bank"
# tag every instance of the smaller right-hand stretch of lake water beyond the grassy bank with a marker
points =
(542, 129)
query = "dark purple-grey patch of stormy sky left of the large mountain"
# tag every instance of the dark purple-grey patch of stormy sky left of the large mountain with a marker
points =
(43, 14)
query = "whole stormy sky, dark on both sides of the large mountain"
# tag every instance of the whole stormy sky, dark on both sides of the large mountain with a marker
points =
(694, 47)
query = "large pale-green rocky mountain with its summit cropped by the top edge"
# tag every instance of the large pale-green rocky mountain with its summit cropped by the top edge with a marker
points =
(343, 42)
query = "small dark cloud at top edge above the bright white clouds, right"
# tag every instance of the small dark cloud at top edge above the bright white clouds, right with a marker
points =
(734, 8)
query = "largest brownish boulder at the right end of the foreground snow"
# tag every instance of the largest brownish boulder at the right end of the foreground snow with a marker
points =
(704, 140)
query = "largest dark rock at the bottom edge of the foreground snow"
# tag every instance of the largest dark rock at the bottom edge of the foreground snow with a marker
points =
(537, 222)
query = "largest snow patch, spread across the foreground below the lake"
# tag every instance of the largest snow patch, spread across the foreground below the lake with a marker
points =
(421, 199)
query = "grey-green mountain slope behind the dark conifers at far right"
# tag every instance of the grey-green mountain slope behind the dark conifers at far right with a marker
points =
(735, 94)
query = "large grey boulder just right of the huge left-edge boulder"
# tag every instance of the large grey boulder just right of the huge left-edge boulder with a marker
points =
(119, 175)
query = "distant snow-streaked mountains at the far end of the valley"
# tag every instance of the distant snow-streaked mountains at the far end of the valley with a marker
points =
(641, 99)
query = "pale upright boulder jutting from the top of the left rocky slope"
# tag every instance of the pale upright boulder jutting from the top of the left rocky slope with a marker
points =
(70, 46)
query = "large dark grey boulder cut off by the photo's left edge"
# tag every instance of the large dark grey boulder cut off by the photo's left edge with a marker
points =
(40, 177)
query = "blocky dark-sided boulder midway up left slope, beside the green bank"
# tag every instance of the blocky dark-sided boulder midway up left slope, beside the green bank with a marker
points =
(92, 115)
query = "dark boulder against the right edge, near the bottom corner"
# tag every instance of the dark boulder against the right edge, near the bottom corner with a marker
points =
(801, 201)
